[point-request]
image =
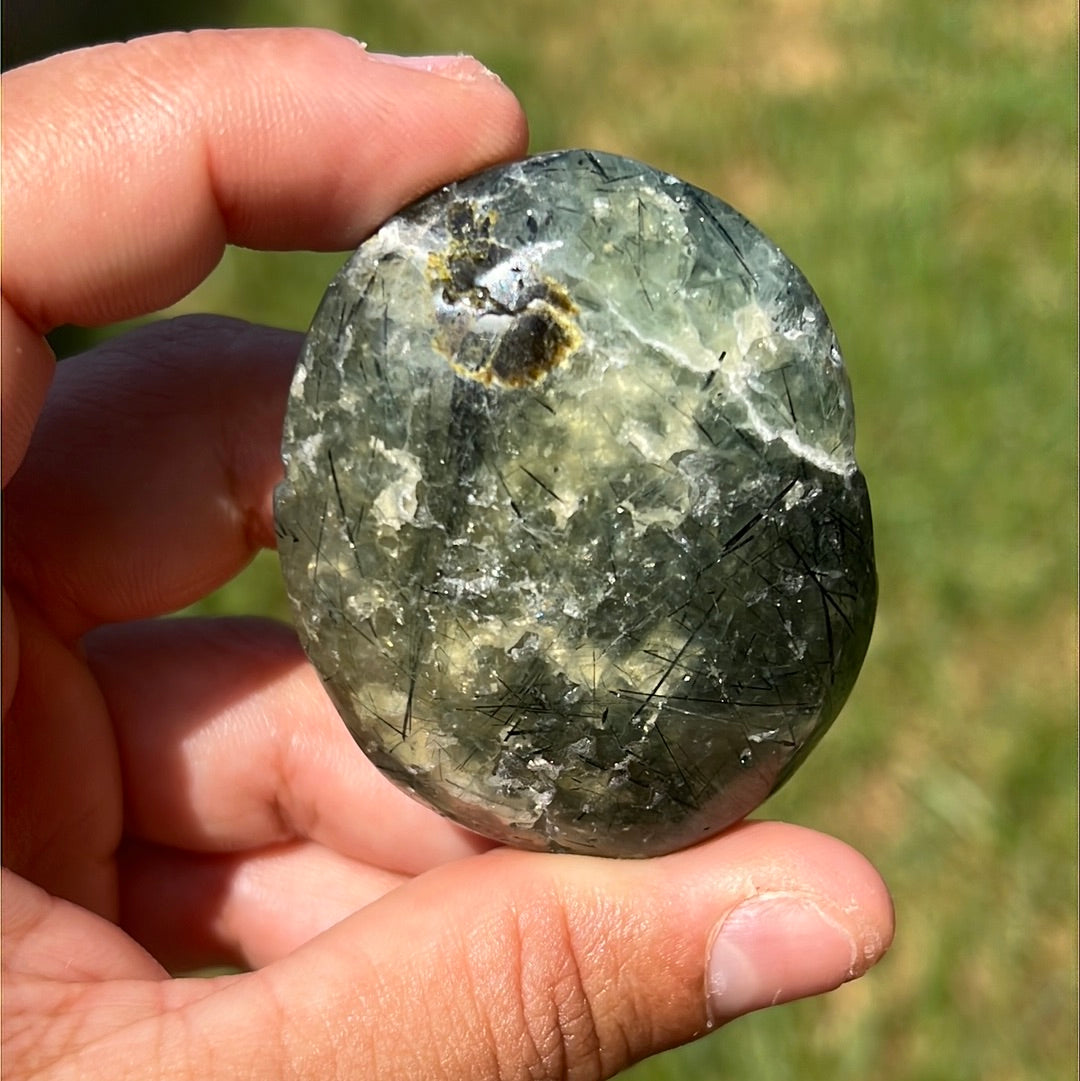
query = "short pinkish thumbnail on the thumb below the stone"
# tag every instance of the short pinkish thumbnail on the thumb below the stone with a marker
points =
(776, 949)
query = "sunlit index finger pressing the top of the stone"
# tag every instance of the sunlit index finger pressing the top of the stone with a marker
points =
(128, 168)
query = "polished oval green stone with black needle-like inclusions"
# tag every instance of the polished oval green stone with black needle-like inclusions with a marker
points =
(571, 521)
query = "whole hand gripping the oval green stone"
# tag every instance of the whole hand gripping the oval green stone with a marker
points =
(181, 793)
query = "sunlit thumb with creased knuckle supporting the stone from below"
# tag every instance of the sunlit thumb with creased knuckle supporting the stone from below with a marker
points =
(521, 965)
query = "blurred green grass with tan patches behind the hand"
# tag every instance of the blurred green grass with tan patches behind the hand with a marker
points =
(917, 158)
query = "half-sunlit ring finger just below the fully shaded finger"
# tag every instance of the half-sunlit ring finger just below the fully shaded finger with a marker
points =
(228, 742)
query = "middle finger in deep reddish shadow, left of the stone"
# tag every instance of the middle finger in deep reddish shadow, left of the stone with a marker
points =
(151, 474)
